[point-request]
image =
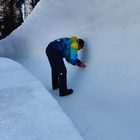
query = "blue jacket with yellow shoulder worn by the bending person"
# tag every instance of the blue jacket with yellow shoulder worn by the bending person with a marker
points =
(69, 47)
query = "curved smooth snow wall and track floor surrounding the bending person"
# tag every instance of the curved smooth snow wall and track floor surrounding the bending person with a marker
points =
(105, 103)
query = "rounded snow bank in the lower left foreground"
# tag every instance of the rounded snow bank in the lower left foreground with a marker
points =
(27, 110)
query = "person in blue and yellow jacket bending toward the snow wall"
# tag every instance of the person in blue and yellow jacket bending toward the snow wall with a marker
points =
(56, 51)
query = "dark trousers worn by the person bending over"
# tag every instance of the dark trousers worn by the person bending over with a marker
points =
(58, 69)
